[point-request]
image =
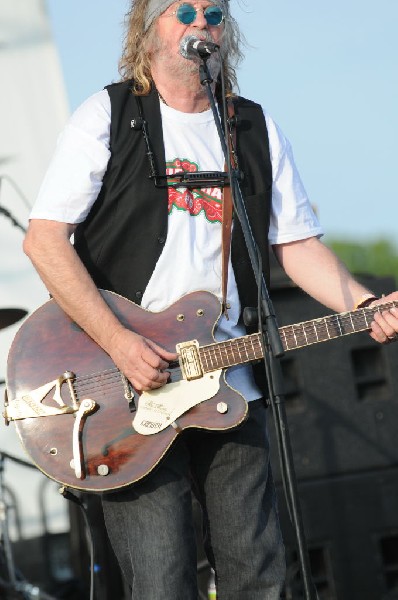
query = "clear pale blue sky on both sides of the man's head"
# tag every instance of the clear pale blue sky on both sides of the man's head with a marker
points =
(327, 72)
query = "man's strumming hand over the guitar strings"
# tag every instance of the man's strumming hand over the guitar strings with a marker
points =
(143, 362)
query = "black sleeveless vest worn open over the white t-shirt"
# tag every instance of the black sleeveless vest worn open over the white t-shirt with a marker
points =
(126, 229)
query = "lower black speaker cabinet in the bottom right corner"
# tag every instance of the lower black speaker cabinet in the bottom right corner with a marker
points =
(351, 527)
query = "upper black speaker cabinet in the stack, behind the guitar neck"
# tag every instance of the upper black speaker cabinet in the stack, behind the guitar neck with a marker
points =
(341, 395)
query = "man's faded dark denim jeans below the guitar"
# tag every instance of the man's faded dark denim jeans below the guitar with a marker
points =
(151, 527)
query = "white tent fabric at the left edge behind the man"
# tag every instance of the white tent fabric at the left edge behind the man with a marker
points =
(33, 109)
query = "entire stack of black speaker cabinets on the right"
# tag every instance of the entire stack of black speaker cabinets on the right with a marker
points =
(341, 400)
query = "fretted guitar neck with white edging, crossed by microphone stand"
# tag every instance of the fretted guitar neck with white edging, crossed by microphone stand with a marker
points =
(248, 348)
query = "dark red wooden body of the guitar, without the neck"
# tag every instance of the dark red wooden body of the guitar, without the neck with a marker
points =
(113, 455)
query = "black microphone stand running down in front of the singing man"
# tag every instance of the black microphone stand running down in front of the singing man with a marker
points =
(272, 350)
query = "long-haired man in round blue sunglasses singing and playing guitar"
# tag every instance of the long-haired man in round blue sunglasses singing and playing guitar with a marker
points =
(155, 244)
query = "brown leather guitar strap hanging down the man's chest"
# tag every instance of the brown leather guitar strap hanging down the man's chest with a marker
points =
(227, 207)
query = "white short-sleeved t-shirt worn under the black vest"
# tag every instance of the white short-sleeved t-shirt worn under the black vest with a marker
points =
(191, 258)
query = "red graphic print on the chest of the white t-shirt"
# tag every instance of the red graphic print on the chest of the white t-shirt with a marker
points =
(208, 200)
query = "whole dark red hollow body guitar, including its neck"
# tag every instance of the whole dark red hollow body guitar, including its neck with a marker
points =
(77, 416)
